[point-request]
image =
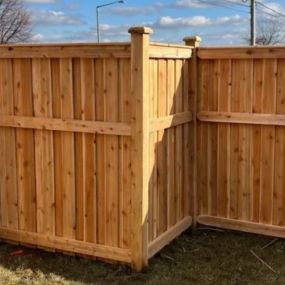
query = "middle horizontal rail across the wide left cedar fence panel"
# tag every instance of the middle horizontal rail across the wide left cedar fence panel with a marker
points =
(80, 126)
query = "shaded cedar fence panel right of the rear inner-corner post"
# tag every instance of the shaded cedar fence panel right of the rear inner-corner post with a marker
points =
(241, 157)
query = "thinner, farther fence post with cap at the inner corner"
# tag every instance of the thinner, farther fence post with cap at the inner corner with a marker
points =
(193, 68)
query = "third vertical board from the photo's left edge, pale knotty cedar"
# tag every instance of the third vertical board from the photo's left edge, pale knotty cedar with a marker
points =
(44, 160)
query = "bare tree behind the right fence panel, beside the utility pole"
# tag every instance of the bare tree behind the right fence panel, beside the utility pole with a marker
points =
(270, 32)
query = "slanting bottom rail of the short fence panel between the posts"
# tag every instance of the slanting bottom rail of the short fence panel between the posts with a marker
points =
(164, 239)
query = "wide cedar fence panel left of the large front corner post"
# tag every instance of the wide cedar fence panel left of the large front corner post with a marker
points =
(62, 186)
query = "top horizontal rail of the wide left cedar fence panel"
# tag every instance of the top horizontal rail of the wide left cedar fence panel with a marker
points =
(66, 51)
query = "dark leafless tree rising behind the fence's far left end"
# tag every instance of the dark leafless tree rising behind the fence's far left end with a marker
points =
(15, 24)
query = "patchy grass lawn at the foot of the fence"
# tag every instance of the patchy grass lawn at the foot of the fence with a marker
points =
(205, 257)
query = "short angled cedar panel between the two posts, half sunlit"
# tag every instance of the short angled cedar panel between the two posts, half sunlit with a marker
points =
(170, 158)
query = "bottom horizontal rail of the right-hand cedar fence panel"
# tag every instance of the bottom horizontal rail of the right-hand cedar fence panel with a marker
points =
(244, 226)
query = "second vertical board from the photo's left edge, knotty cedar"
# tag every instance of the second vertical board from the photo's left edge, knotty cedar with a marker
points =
(25, 146)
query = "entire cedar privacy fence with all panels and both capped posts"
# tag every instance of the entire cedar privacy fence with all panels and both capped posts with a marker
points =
(113, 150)
